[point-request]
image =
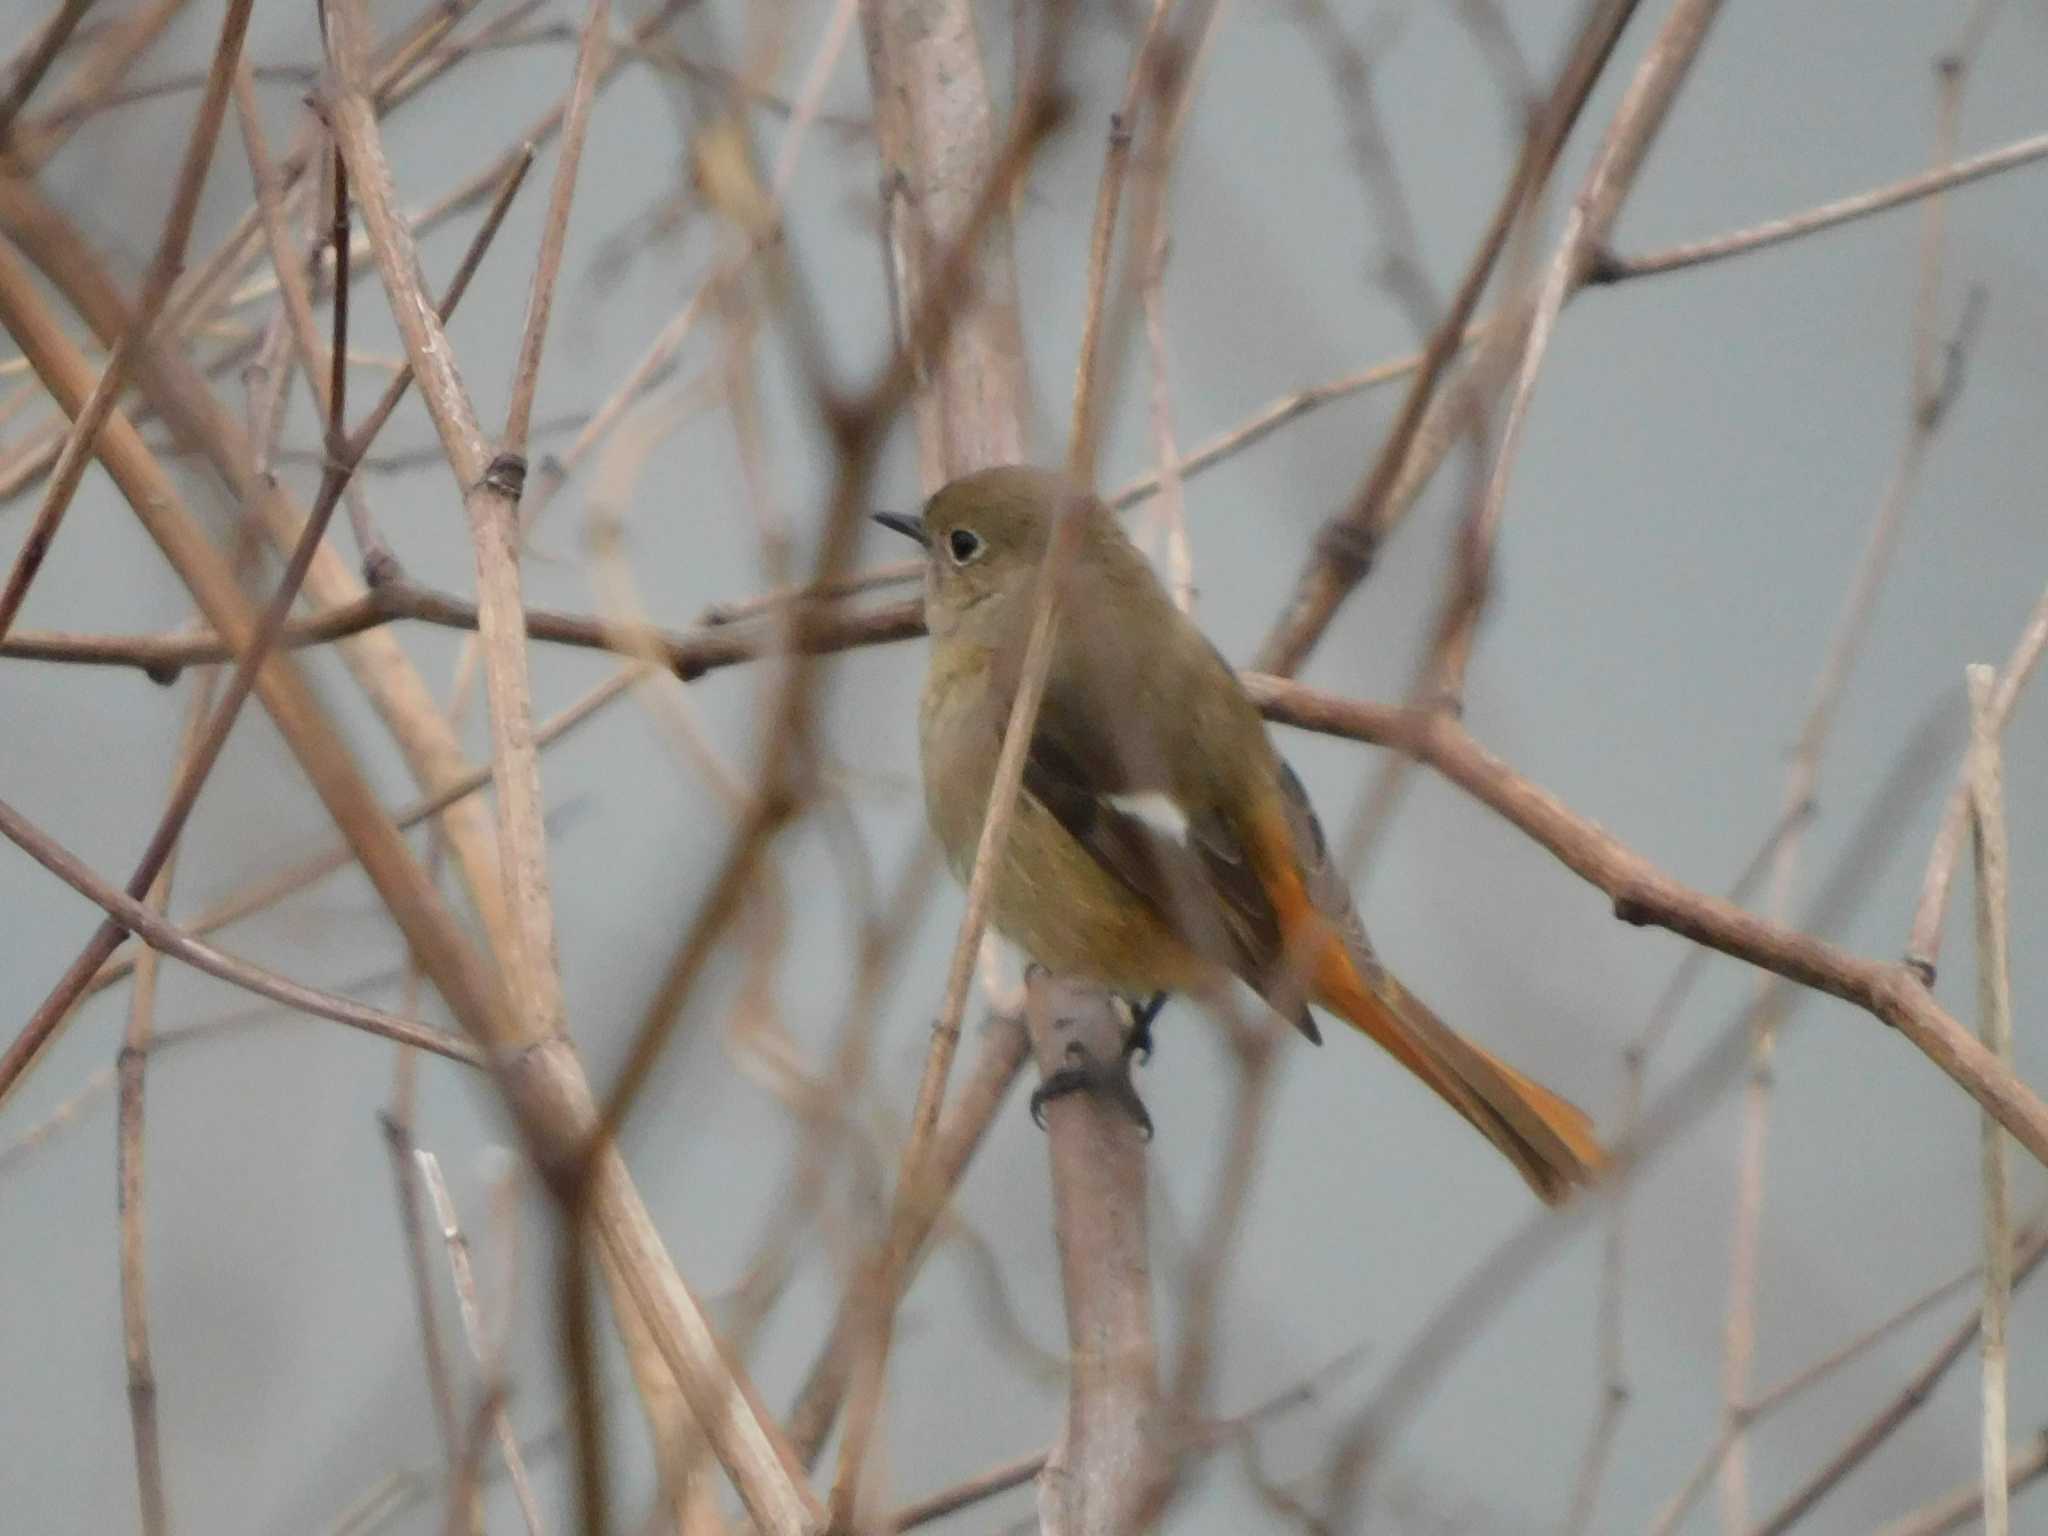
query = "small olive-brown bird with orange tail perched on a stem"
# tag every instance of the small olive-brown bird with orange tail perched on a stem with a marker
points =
(1160, 843)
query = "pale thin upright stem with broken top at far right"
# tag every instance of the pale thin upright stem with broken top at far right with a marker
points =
(1996, 1023)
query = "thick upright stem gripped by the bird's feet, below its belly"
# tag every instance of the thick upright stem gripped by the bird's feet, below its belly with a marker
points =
(1107, 1459)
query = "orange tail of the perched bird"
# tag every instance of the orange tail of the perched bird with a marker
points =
(1545, 1138)
